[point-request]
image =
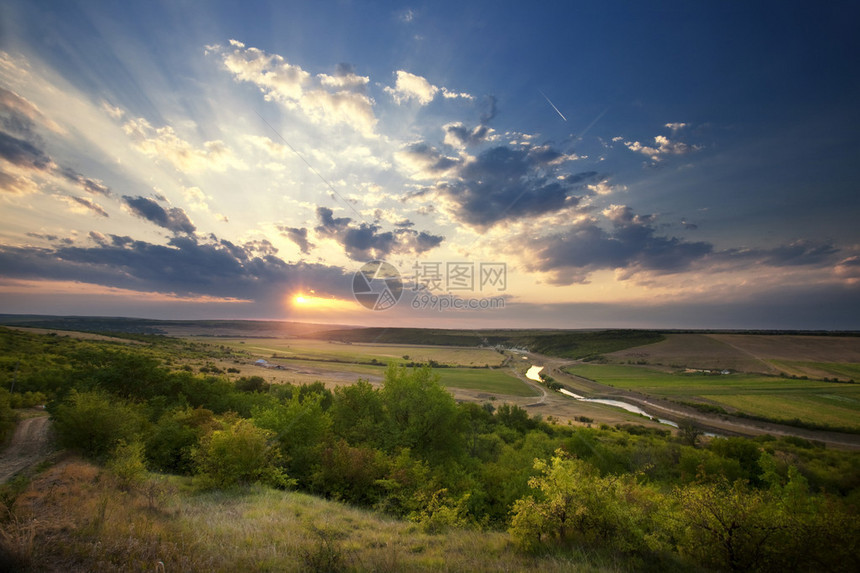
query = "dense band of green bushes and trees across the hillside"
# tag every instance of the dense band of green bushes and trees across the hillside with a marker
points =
(408, 449)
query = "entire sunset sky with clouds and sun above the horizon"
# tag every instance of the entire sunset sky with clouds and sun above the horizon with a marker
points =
(517, 164)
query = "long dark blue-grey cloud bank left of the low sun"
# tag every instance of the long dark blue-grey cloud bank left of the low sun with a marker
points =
(185, 267)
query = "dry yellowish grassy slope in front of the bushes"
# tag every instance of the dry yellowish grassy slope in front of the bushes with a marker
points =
(75, 516)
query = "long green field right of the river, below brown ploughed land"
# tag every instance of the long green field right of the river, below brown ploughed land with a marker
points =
(773, 397)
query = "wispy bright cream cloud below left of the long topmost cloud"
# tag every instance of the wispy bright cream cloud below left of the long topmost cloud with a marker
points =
(163, 143)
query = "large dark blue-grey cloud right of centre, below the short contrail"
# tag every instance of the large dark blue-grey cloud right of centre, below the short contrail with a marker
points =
(504, 183)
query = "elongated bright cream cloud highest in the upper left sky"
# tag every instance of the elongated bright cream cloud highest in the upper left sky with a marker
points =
(338, 99)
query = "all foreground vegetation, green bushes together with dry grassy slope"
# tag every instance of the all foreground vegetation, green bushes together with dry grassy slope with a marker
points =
(446, 482)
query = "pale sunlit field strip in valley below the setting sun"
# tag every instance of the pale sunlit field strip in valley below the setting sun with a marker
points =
(359, 352)
